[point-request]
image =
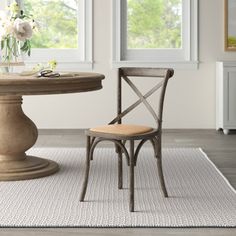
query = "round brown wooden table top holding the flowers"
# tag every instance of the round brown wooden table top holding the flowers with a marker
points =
(75, 82)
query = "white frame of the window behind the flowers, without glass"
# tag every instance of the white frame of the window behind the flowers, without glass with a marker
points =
(70, 59)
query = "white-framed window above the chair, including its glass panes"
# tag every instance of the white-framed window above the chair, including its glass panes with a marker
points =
(155, 31)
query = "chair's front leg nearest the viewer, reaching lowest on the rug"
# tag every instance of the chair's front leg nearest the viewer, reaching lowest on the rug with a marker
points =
(131, 203)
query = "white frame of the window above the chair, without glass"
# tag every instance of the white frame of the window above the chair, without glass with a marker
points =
(186, 57)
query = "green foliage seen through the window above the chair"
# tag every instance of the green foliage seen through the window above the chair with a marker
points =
(154, 23)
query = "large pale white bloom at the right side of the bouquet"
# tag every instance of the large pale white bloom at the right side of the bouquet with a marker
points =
(22, 29)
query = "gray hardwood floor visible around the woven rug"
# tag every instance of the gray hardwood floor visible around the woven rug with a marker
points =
(220, 148)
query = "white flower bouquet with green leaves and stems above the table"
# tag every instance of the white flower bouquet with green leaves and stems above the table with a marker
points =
(16, 30)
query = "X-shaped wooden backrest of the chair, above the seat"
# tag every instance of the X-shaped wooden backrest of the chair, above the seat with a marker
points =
(125, 73)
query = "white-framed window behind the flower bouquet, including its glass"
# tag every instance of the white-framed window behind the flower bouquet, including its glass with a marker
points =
(65, 31)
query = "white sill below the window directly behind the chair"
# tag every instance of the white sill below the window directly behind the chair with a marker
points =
(183, 65)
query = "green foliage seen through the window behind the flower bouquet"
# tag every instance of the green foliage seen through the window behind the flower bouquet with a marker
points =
(58, 25)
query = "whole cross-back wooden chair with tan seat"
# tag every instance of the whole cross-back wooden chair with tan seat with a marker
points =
(119, 133)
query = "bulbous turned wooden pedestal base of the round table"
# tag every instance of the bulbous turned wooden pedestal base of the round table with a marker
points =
(17, 134)
